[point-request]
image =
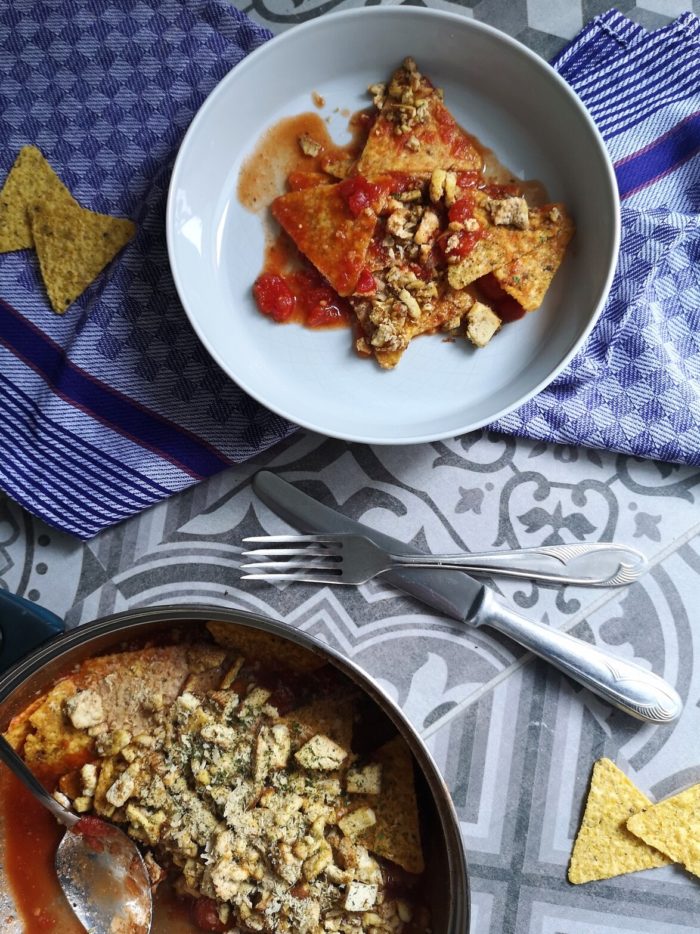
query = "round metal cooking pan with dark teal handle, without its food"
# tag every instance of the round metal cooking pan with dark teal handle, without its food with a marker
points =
(23, 623)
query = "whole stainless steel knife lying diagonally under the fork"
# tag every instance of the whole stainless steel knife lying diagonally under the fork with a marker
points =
(638, 692)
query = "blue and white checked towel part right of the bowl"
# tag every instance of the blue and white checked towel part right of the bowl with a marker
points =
(634, 387)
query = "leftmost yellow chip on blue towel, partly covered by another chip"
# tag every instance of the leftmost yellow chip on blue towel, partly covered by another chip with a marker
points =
(30, 180)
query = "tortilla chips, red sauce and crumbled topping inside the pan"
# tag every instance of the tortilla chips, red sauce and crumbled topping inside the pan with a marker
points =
(262, 788)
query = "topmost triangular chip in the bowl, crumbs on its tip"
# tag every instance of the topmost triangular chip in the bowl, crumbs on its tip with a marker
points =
(414, 132)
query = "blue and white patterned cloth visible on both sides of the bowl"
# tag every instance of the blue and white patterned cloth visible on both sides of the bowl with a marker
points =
(116, 405)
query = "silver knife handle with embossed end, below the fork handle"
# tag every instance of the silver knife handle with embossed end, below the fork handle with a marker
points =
(631, 688)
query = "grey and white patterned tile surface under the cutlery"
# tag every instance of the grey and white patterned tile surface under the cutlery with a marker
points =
(514, 739)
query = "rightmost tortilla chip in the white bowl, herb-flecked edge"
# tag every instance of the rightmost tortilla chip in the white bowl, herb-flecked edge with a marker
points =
(528, 277)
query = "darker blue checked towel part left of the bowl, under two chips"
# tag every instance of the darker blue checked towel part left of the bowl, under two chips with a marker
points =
(115, 405)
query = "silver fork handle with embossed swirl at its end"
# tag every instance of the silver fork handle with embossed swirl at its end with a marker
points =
(596, 564)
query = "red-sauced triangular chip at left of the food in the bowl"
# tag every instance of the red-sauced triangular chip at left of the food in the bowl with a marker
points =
(324, 229)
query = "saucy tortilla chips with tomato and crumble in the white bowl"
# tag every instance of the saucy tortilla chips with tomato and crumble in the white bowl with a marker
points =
(418, 231)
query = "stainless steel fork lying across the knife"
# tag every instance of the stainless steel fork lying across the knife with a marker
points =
(345, 558)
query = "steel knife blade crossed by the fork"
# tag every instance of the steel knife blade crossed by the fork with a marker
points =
(453, 593)
